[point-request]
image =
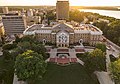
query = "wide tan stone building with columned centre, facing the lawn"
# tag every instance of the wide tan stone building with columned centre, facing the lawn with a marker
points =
(64, 34)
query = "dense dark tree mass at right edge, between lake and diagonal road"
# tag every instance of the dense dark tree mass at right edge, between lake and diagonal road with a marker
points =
(111, 30)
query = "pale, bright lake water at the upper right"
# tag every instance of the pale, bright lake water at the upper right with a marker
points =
(115, 14)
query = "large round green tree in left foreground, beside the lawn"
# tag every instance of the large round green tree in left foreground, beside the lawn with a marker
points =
(30, 66)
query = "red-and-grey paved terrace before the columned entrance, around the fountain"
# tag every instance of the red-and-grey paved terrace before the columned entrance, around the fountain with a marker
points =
(71, 58)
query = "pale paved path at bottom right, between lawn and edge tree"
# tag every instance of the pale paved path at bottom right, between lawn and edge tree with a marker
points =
(104, 78)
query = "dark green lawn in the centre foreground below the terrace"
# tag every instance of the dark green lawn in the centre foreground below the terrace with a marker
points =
(71, 74)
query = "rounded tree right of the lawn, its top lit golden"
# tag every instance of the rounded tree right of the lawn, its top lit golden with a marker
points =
(96, 61)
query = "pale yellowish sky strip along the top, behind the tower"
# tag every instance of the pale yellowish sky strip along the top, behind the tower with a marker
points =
(53, 2)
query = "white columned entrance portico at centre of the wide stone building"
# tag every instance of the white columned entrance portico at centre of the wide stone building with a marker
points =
(62, 39)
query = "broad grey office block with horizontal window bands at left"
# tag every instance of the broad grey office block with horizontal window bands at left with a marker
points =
(14, 24)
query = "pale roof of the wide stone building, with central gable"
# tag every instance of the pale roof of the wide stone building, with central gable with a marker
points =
(82, 28)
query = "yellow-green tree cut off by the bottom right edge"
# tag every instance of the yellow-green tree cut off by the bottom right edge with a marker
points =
(115, 71)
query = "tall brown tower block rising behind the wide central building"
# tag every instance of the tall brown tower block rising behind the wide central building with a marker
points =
(62, 9)
